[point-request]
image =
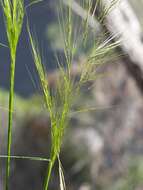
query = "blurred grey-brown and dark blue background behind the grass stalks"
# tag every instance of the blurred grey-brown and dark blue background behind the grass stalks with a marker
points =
(102, 148)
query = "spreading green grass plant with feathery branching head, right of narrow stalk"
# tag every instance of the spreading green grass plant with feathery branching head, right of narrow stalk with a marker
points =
(59, 102)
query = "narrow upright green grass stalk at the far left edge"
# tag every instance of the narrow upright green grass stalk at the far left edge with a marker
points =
(13, 17)
